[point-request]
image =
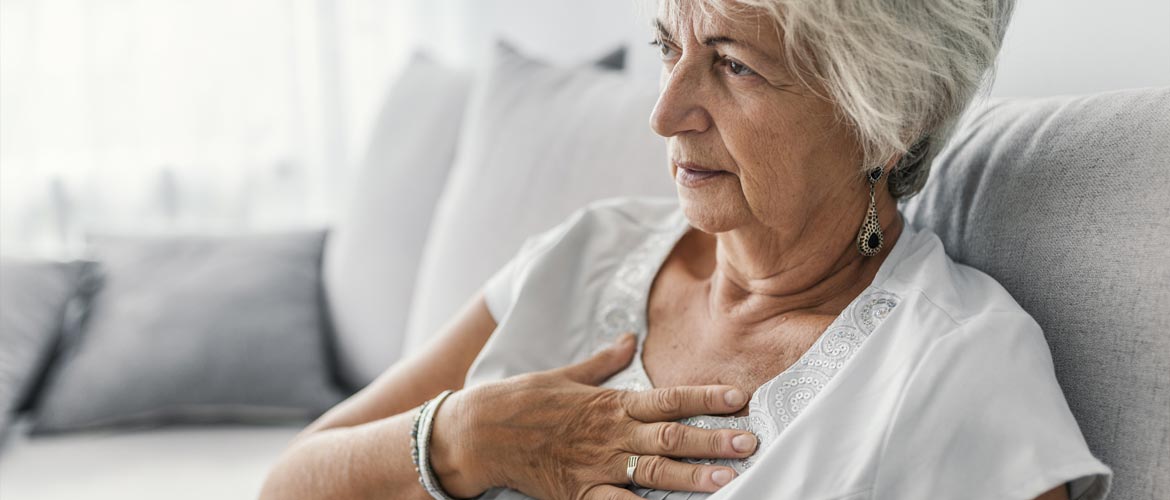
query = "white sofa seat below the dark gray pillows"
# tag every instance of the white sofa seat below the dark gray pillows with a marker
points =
(182, 463)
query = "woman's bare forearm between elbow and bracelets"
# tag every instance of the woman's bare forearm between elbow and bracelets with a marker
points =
(371, 461)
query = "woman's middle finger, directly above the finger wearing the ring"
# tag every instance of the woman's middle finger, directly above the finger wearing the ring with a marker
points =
(676, 440)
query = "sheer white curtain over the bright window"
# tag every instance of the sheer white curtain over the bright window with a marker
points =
(185, 117)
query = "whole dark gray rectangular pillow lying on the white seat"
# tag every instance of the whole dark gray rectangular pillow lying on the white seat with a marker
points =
(196, 330)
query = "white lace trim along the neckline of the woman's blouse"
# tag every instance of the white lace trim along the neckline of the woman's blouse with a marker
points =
(775, 405)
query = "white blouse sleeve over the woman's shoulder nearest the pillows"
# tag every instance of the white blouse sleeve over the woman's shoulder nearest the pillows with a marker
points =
(549, 298)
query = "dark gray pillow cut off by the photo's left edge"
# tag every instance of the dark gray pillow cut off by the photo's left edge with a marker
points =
(33, 299)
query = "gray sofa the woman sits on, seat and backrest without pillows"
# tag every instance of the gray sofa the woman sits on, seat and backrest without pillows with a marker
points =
(1065, 201)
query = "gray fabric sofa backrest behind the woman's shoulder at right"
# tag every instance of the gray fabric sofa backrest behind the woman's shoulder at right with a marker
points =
(1066, 202)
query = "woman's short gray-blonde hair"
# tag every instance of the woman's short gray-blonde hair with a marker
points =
(901, 73)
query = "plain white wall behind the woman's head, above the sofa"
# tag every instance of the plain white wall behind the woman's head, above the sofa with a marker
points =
(1052, 46)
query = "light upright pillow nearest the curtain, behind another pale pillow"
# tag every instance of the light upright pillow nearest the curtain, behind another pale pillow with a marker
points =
(374, 249)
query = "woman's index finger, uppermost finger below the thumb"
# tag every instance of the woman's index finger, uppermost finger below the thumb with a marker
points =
(683, 402)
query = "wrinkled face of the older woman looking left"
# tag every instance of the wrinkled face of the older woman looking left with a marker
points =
(728, 102)
